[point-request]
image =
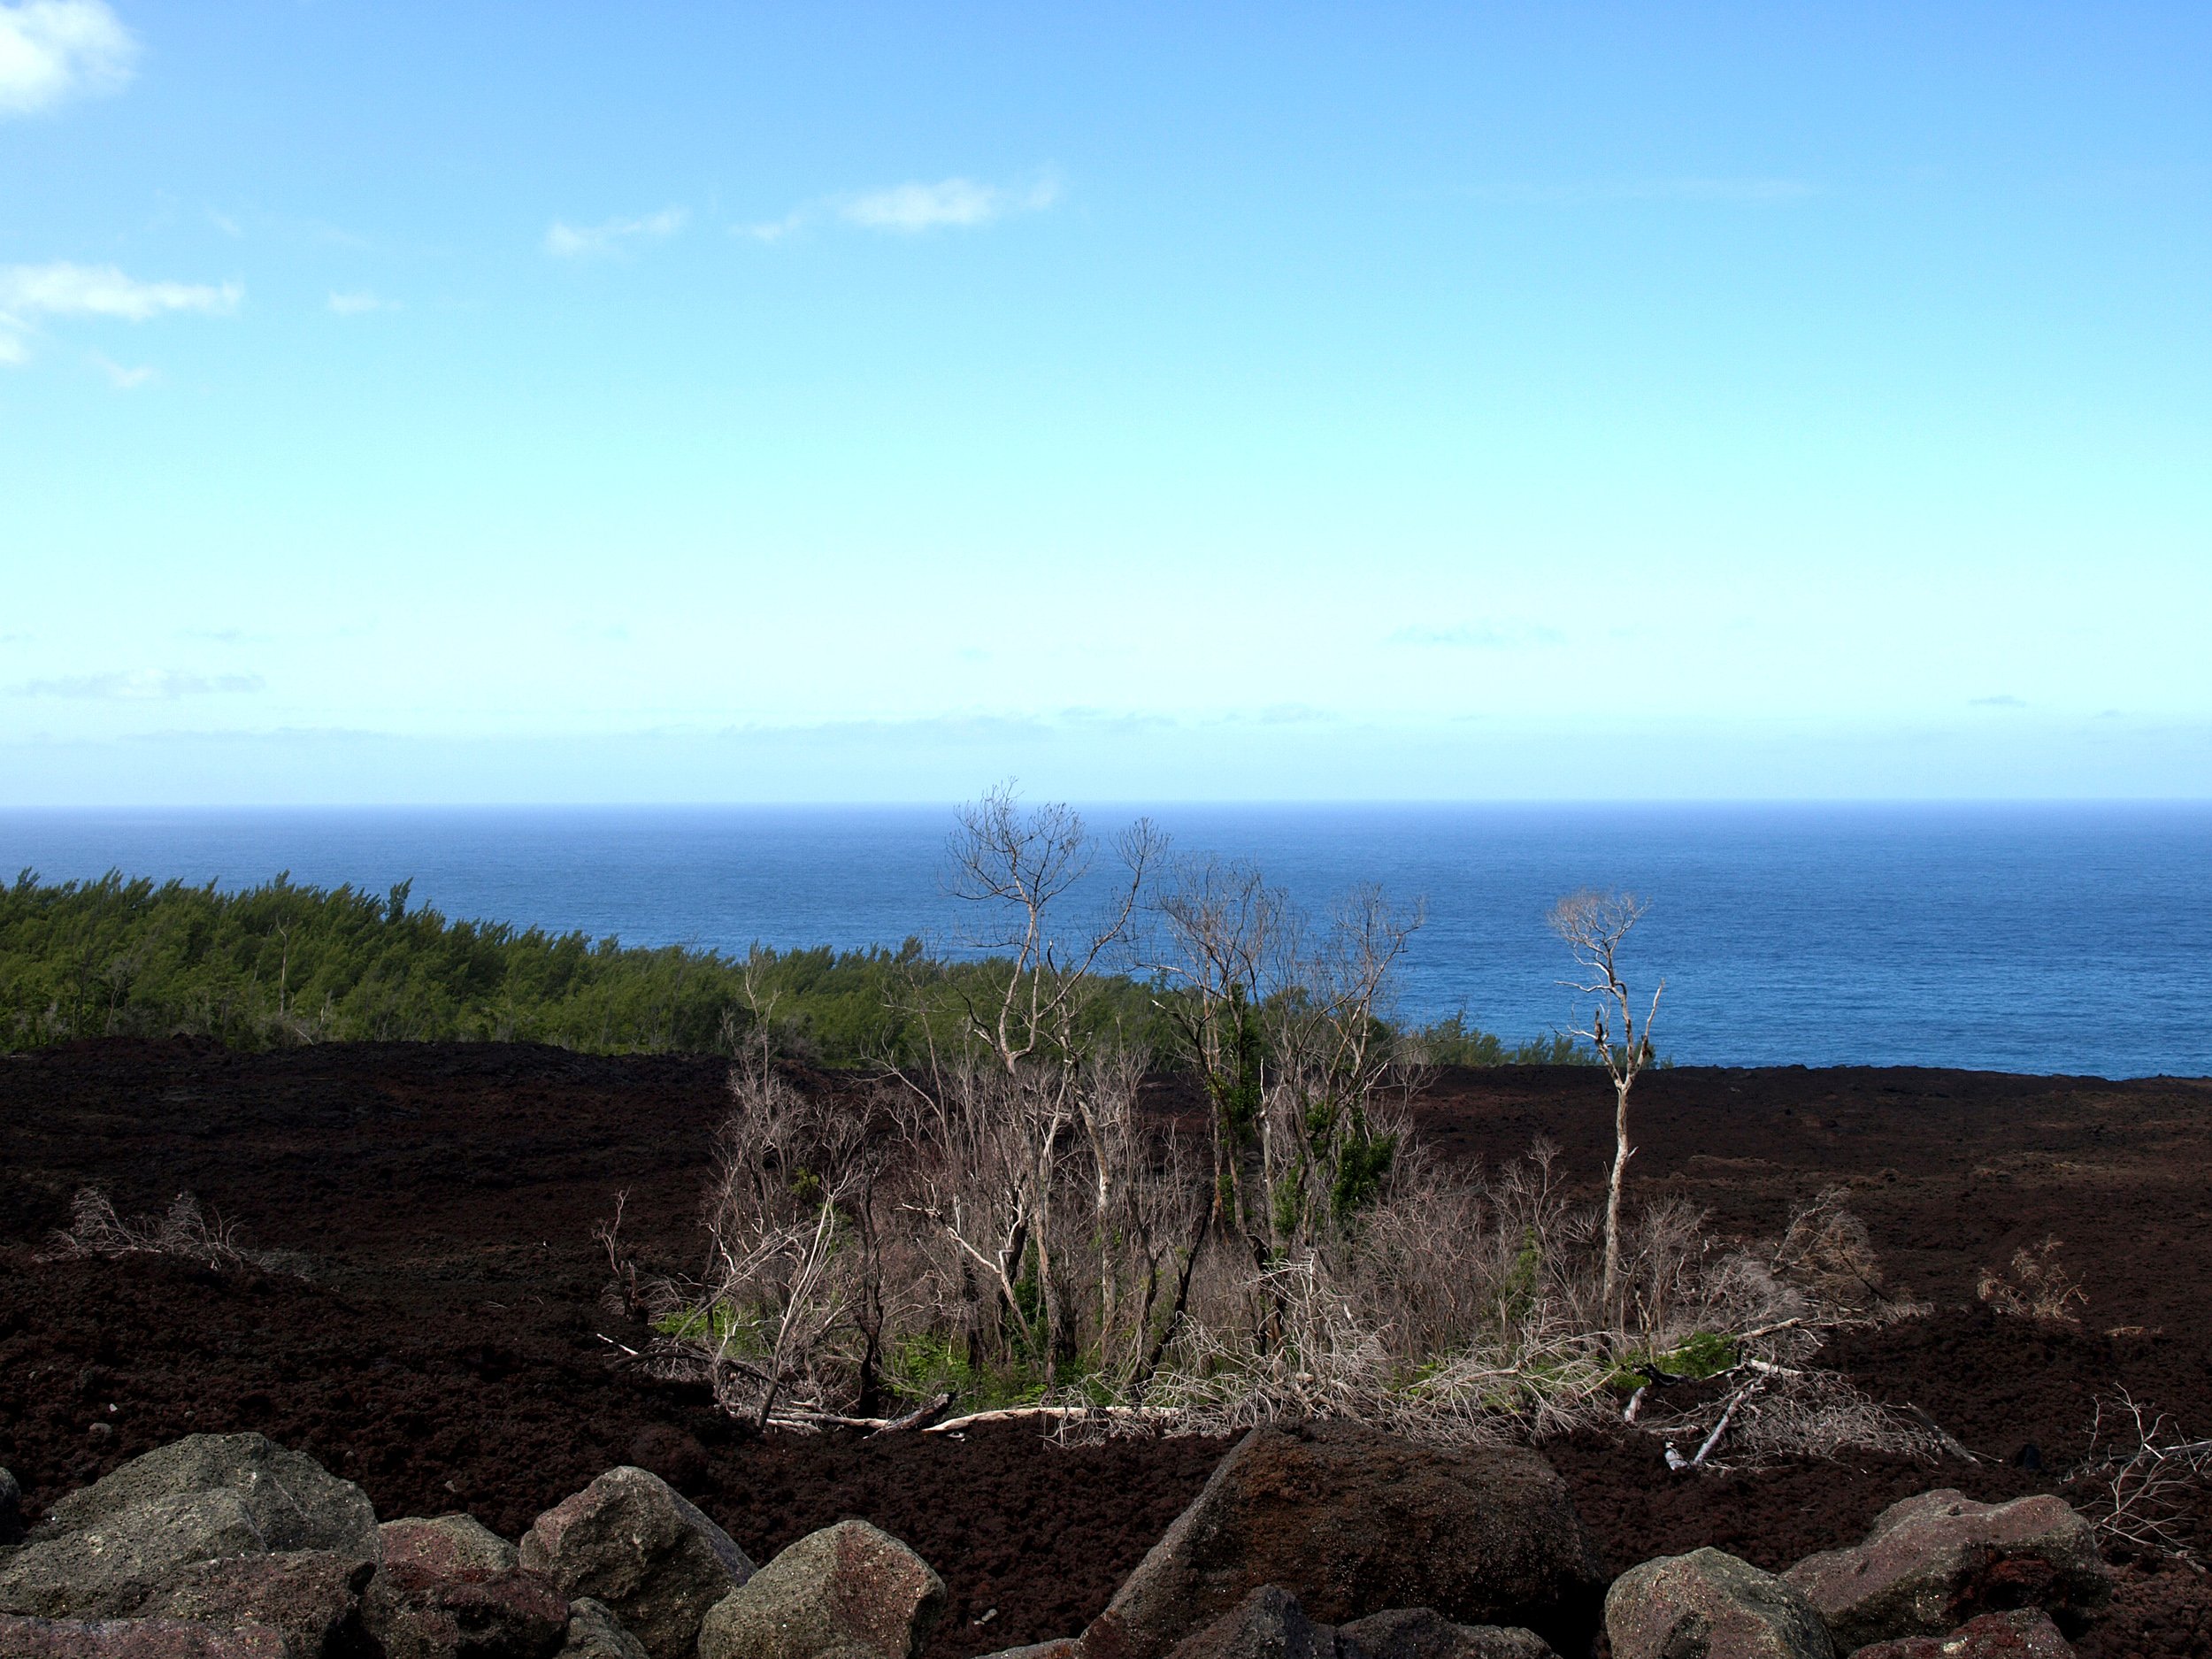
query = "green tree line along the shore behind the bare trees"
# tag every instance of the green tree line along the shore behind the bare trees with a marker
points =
(286, 963)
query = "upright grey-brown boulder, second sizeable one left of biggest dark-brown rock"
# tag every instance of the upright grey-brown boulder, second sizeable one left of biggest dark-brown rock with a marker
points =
(634, 1545)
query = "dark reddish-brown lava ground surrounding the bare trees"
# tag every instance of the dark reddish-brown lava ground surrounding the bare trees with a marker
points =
(450, 1346)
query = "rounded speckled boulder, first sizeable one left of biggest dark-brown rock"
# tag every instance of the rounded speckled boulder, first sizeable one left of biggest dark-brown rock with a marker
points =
(842, 1594)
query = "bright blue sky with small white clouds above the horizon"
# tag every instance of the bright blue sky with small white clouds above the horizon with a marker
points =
(698, 404)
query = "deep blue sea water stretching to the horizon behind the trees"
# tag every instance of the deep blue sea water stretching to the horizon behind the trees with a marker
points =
(2049, 939)
